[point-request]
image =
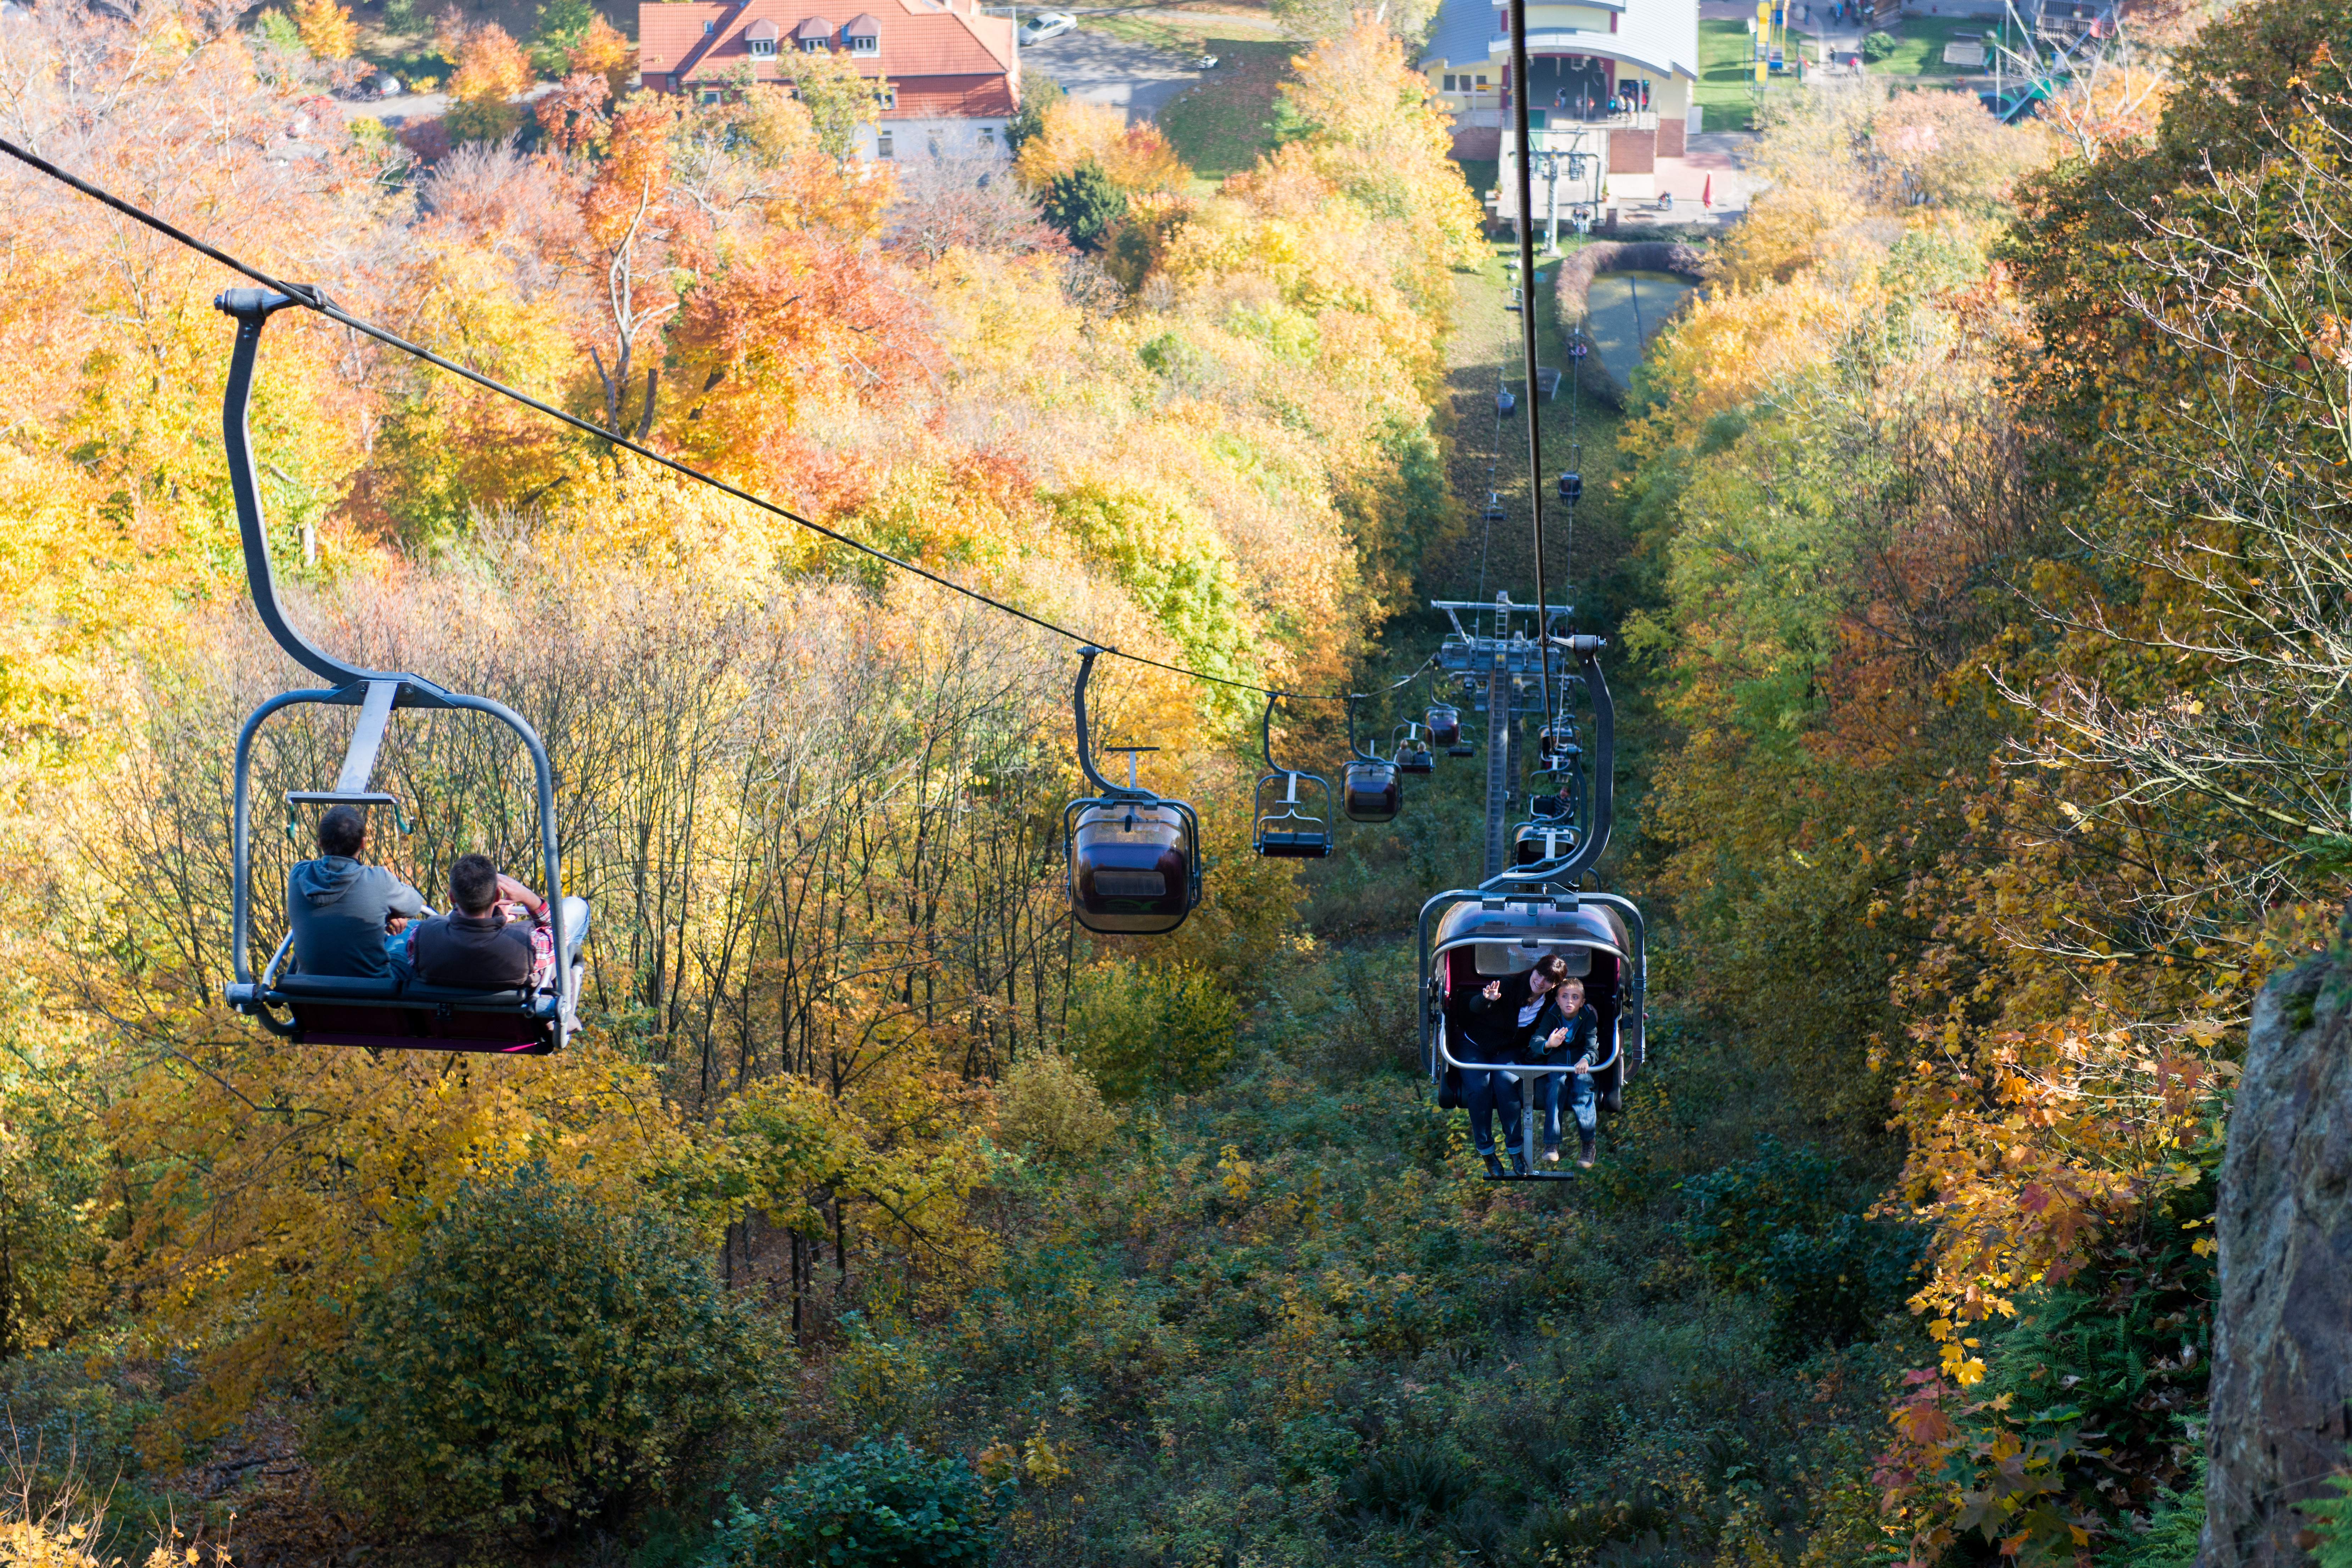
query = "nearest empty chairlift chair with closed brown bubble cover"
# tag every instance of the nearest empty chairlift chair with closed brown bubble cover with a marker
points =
(1135, 857)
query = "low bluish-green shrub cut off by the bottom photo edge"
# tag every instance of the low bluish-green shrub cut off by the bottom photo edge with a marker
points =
(881, 1506)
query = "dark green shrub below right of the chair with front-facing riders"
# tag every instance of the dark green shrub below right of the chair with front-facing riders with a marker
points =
(1782, 1226)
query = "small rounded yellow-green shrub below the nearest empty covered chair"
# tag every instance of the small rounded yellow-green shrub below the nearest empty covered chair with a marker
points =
(1163, 1026)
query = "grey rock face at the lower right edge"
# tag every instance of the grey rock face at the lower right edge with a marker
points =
(2283, 1341)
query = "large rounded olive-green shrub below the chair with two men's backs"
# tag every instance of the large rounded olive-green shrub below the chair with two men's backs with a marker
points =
(542, 1365)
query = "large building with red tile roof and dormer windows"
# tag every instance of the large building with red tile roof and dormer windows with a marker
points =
(949, 74)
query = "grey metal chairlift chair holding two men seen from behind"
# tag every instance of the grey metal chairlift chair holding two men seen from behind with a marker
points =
(375, 1012)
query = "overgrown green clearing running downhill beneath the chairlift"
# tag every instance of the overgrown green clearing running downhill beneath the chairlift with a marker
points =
(1281, 1322)
